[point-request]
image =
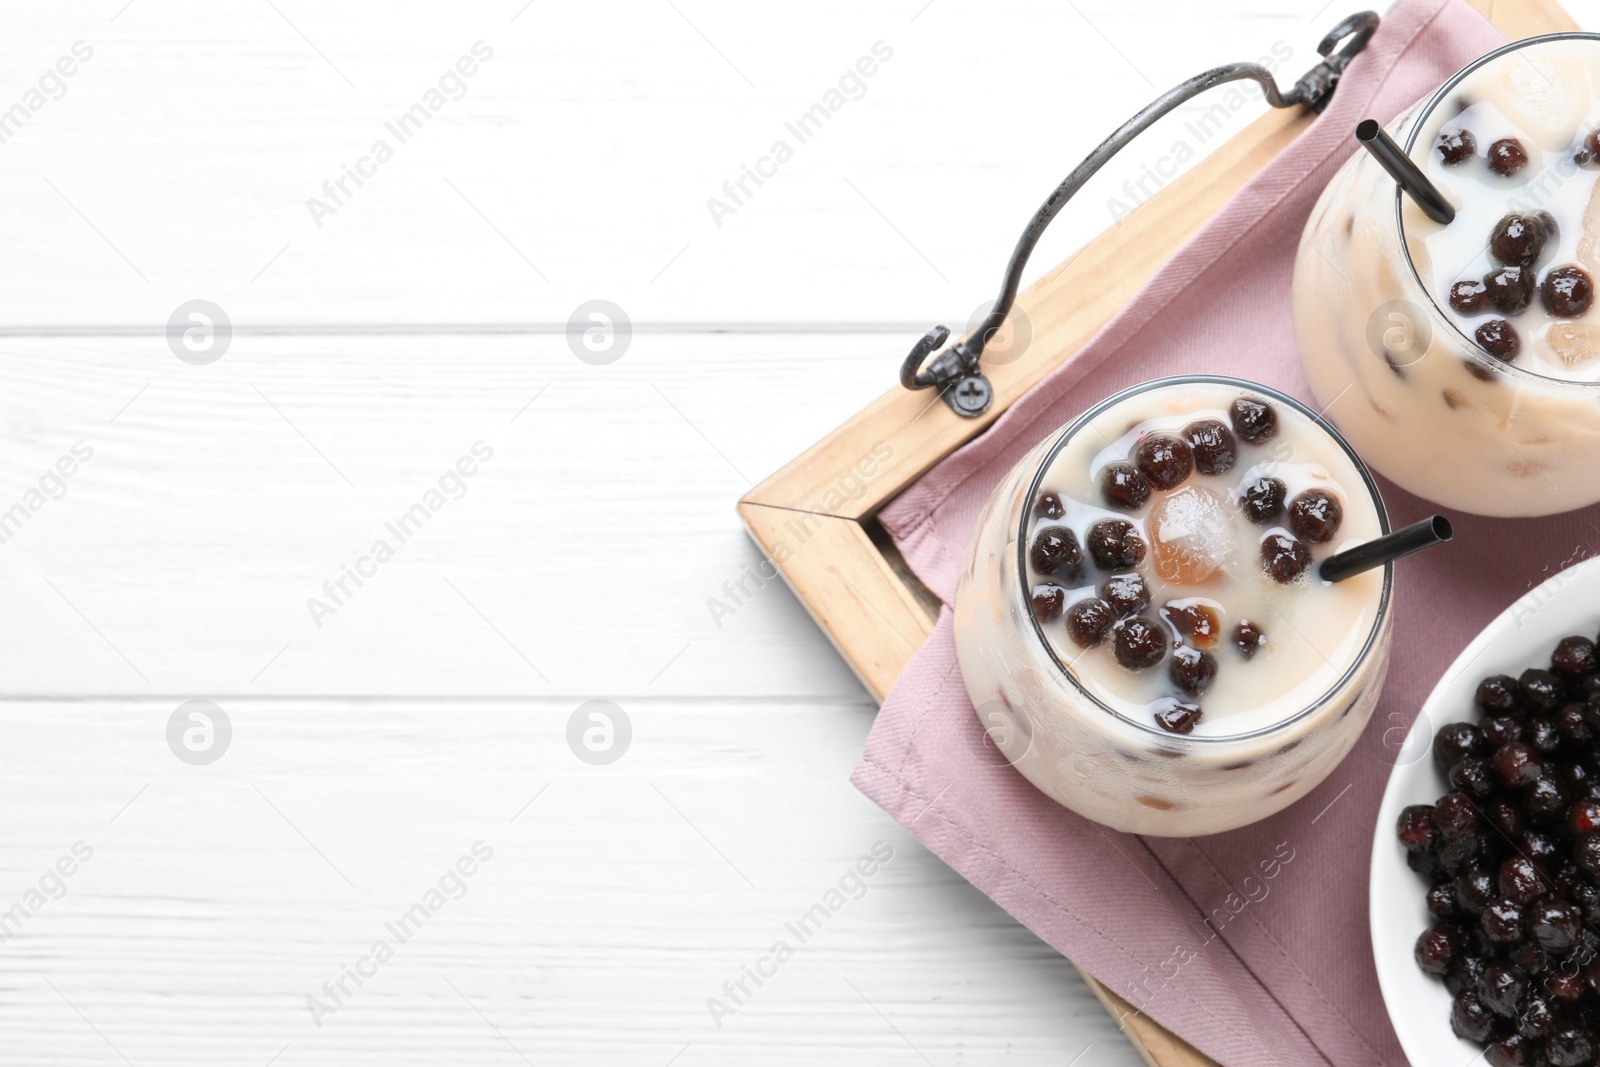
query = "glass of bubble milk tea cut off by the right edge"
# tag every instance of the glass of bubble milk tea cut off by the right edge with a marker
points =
(1463, 358)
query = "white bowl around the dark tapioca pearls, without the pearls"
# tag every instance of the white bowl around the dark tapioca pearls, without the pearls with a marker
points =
(1524, 636)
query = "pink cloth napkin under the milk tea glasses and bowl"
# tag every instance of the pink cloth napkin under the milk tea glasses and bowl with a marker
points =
(1254, 946)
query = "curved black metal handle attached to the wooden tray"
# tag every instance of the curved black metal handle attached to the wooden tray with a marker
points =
(956, 372)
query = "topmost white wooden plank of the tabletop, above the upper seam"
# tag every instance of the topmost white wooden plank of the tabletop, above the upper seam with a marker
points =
(585, 153)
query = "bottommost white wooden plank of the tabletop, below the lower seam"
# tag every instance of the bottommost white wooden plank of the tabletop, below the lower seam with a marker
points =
(596, 933)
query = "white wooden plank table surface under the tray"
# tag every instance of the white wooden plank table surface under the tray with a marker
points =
(425, 713)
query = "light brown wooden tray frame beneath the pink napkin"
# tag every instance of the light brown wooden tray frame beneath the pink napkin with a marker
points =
(854, 581)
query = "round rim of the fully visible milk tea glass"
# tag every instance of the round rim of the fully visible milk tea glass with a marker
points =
(1066, 434)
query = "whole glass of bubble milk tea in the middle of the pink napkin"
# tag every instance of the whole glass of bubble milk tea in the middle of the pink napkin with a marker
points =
(1142, 621)
